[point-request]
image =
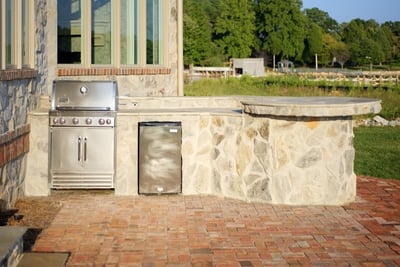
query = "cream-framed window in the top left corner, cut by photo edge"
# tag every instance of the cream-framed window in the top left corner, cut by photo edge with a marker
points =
(16, 34)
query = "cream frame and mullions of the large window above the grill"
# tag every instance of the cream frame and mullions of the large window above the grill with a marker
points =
(86, 44)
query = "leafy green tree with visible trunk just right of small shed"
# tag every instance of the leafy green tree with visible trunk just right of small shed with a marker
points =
(280, 27)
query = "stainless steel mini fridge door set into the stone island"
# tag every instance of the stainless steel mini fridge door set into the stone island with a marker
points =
(160, 160)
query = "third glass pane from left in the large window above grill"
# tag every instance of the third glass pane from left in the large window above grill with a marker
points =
(129, 31)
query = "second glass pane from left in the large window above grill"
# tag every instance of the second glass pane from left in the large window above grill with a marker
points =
(101, 31)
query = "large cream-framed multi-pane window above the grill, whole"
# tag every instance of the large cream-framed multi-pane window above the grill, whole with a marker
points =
(89, 33)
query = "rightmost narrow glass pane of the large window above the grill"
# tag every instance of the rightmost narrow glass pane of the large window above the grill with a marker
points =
(153, 32)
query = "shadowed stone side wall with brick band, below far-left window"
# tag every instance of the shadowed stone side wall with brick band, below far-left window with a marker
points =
(14, 138)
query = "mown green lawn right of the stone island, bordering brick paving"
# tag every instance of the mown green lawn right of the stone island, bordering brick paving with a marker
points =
(377, 151)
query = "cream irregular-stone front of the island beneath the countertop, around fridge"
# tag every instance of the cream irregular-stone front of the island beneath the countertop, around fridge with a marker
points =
(262, 159)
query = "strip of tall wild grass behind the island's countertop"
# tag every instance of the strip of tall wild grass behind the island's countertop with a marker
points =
(292, 85)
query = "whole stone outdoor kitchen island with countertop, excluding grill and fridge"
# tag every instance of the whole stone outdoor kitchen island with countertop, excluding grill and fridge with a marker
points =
(280, 150)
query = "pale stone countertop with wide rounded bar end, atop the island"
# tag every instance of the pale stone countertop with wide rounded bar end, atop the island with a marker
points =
(323, 106)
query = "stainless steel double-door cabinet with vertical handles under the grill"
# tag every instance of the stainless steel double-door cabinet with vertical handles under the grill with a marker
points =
(81, 157)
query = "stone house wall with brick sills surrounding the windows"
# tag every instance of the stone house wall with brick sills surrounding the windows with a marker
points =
(22, 91)
